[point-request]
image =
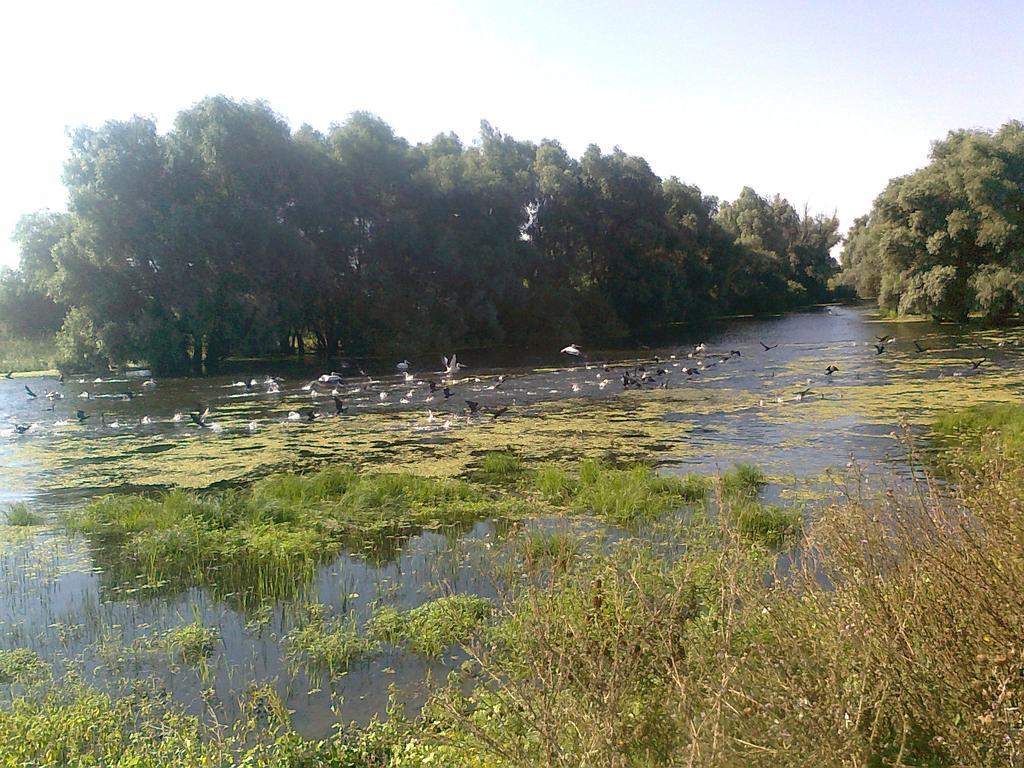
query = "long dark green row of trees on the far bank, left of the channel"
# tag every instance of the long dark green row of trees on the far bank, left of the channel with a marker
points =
(234, 235)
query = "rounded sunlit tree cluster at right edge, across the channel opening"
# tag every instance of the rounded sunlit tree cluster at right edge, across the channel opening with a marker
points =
(949, 239)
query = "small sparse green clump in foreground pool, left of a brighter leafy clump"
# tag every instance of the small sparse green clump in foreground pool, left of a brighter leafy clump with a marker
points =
(326, 645)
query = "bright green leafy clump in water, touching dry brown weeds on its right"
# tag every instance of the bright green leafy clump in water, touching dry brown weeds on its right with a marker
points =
(433, 627)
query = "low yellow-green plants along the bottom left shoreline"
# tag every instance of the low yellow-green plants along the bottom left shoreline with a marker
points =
(80, 726)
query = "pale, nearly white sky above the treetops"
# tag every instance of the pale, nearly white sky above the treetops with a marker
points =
(820, 102)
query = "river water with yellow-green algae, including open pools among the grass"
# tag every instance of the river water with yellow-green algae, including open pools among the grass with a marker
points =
(58, 599)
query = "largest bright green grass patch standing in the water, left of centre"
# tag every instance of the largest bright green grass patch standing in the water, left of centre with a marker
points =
(269, 542)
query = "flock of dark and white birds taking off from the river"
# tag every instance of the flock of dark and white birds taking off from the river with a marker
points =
(442, 388)
